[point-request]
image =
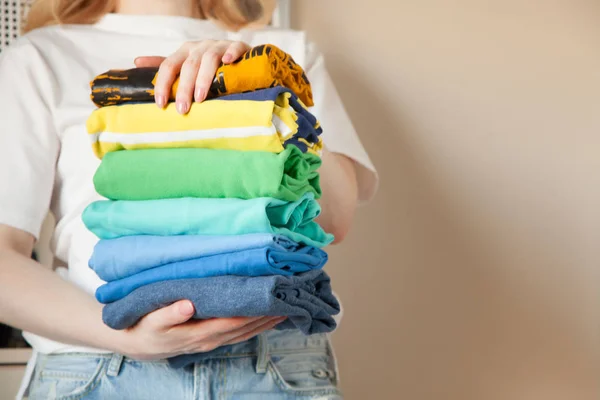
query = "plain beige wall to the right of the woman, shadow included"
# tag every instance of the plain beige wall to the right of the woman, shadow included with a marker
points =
(475, 272)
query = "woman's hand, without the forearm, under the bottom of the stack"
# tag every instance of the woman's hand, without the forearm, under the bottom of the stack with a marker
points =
(169, 332)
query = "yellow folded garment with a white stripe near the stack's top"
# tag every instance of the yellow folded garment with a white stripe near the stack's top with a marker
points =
(217, 124)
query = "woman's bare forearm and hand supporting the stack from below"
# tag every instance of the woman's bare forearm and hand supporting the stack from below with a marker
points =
(38, 300)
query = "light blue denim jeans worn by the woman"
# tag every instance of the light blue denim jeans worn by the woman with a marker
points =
(275, 365)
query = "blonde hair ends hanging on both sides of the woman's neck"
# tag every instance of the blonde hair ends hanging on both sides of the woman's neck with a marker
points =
(233, 14)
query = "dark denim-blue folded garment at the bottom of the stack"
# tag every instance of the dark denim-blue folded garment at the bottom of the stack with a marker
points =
(306, 299)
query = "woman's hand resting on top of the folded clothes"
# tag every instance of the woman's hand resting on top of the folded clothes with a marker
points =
(196, 64)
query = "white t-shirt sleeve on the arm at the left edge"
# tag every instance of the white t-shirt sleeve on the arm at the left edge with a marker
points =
(29, 144)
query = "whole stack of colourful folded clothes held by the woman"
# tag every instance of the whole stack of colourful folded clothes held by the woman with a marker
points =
(216, 206)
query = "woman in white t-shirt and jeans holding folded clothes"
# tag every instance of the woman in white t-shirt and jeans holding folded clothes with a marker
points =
(46, 163)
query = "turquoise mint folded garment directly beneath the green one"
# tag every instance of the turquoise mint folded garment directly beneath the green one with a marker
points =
(192, 216)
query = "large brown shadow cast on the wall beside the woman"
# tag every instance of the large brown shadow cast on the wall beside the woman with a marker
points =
(429, 312)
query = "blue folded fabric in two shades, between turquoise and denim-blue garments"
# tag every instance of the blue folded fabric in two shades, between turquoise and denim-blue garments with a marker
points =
(131, 262)
